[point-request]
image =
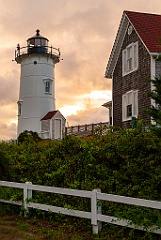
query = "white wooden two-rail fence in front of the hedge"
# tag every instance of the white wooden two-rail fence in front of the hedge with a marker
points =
(95, 215)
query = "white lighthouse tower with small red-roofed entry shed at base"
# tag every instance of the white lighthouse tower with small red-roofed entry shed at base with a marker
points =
(36, 102)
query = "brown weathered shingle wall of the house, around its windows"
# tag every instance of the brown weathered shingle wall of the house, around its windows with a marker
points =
(136, 80)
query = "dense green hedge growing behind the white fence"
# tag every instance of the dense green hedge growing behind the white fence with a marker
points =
(123, 162)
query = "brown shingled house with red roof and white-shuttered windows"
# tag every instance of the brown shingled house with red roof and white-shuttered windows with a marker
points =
(132, 61)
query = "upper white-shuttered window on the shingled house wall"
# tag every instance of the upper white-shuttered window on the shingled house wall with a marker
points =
(130, 58)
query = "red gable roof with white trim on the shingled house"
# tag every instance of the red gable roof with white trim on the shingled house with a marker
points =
(148, 28)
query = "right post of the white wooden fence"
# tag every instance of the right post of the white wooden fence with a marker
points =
(95, 209)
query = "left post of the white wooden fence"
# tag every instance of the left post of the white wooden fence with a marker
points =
(27, 194)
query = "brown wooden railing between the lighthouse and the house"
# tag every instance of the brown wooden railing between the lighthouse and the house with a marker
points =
(87, 129)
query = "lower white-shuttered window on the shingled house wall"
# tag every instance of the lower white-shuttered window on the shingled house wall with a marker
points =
(129, 105)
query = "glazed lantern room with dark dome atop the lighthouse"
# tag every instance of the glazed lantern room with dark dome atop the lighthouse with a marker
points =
(37, 43)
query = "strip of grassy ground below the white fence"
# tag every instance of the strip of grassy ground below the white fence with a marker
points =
(56, 227)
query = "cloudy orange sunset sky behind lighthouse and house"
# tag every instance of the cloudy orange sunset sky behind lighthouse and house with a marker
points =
(85, 32)
